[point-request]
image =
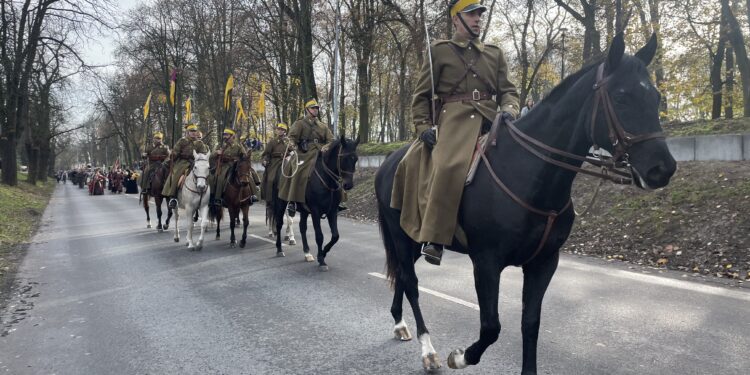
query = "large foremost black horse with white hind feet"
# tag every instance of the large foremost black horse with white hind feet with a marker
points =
(517, 211)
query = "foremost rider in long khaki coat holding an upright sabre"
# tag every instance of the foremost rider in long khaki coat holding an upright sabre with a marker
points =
(472, 87)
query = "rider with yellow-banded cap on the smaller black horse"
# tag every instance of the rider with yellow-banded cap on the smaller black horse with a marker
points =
(307, 137)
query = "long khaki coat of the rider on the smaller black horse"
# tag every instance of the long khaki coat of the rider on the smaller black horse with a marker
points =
(316, 135)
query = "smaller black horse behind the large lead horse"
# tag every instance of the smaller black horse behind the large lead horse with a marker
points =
(333, 172)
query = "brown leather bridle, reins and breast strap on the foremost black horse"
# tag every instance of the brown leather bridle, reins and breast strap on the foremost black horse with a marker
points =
(617, 168)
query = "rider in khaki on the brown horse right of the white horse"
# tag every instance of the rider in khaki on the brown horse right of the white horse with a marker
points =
(222, 161)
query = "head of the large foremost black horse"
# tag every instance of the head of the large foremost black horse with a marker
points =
(626, 110)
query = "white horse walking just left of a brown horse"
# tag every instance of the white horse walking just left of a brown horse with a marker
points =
(194, 196)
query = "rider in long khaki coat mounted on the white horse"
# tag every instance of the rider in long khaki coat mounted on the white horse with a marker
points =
(182, 159)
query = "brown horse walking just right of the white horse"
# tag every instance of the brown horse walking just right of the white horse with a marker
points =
(237, 196)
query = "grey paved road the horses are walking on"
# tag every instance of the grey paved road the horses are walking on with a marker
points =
(99, 293)
